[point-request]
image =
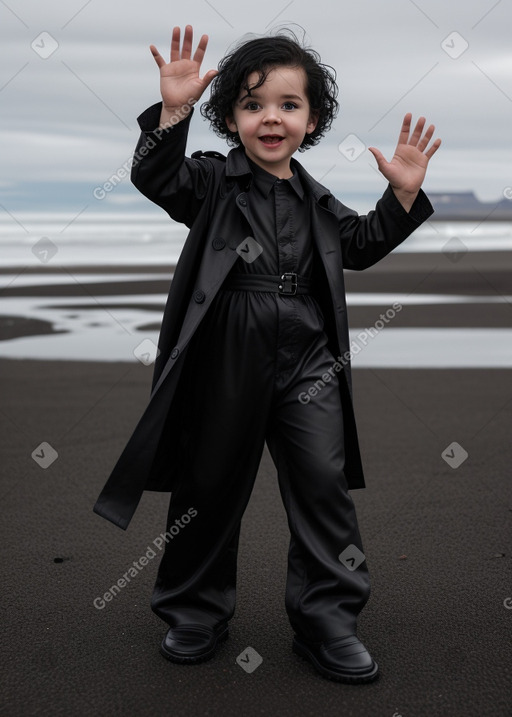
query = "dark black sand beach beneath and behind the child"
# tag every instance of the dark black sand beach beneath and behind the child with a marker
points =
(437, 538)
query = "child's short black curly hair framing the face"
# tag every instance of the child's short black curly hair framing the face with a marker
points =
(262, 55)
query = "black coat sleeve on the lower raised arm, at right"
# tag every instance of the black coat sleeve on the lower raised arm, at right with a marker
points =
(365, 239)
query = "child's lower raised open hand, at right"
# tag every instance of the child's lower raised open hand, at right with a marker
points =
(407, 169)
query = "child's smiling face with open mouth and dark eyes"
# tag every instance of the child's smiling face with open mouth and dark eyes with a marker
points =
(273, 120)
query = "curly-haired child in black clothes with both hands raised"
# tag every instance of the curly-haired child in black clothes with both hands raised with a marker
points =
(254, 346)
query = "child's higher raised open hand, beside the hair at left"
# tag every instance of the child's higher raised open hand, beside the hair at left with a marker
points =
(179, 79)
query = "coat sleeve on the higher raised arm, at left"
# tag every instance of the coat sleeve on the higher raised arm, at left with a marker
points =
(162, 172)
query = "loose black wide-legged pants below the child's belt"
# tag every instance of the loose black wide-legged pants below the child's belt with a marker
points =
(246, 380)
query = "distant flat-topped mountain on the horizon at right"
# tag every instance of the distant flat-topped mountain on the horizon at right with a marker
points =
(466, 206)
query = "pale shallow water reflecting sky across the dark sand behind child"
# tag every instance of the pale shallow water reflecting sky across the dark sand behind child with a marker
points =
(111, 328)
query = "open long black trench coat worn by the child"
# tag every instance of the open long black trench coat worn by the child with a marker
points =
(207, 192)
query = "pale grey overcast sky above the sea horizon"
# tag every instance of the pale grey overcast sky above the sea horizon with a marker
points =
(68, 120)
